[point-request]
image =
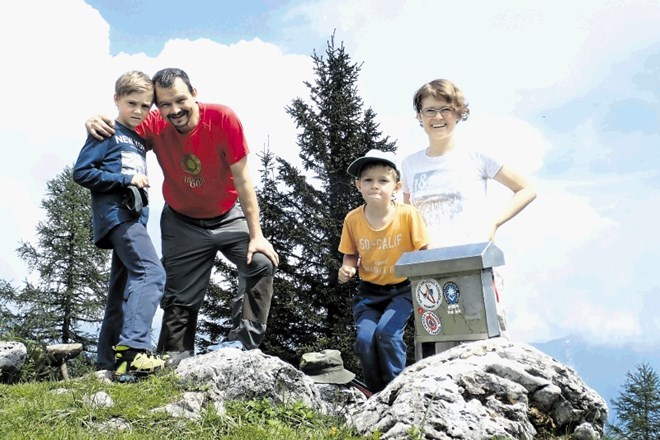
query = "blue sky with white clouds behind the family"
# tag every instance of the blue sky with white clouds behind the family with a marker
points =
(564, 92)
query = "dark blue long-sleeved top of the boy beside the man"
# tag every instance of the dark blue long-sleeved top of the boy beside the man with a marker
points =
(107, 167)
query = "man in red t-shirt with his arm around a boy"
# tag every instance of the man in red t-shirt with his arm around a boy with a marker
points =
(203, 153)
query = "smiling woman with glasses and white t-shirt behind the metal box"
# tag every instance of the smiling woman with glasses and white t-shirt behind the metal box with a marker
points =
(448, 183)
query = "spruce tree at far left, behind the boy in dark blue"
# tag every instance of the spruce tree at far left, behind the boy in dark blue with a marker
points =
(66, 297)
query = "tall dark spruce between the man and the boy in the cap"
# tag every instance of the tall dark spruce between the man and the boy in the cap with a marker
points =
(303, 212)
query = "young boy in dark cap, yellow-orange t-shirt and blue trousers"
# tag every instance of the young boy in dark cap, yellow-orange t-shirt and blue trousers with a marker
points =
(374, 236)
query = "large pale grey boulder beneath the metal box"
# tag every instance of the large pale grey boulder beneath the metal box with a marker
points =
(484, 389)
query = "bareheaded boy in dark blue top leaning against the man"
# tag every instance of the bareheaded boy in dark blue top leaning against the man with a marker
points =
(115, 169)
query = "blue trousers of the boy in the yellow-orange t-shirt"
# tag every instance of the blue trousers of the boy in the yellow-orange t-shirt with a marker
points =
(381, 314)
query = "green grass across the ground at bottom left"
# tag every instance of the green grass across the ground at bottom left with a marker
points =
(60, 410)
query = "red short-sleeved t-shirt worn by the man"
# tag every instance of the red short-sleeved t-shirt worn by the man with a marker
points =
(197, 178)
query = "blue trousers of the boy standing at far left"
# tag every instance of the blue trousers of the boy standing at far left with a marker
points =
(137, 280)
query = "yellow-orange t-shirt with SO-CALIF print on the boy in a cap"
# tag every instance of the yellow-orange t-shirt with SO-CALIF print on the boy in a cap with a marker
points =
(379, 250)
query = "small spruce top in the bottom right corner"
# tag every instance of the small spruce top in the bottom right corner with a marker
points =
(638, 406)
